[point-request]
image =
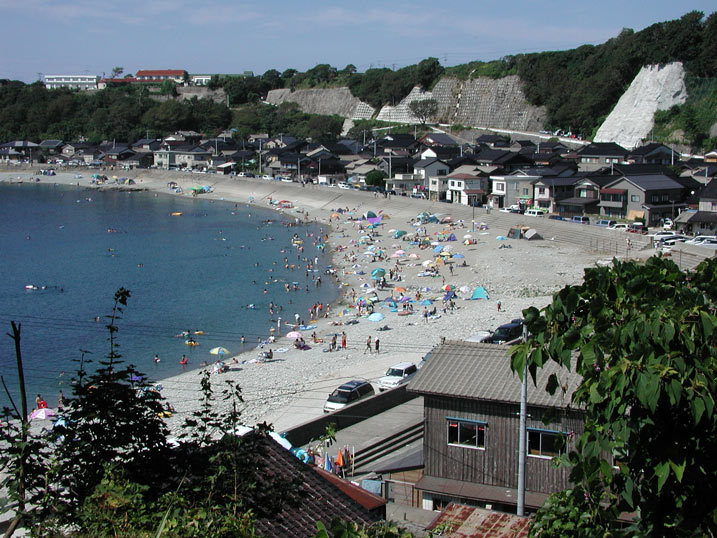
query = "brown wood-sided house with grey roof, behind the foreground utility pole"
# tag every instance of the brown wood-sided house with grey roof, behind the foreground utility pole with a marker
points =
(472, 427)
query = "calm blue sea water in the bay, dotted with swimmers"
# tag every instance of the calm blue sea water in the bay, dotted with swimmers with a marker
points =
(198, 272)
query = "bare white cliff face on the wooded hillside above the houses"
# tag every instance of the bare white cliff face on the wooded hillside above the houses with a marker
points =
(654, 88)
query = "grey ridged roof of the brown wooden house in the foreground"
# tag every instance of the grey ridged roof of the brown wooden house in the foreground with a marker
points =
(482, 372)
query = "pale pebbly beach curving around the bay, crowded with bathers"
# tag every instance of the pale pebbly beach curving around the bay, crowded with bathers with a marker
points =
(292, 387)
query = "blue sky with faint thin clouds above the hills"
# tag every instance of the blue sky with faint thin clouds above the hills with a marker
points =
(225, 36)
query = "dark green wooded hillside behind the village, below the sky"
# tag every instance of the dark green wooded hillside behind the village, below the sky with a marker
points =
(577, 87)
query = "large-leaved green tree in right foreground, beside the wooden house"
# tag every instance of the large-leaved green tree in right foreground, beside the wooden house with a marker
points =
(644, 339)
